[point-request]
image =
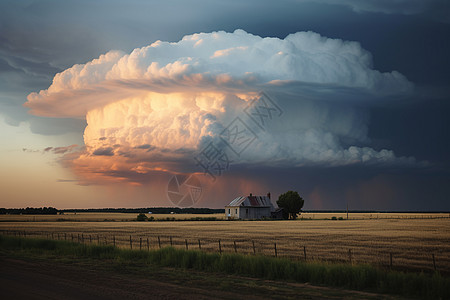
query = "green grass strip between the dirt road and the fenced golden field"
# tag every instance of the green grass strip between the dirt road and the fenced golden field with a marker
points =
(357, 277)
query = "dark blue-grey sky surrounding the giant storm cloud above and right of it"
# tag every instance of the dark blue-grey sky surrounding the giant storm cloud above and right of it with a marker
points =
(41, 38)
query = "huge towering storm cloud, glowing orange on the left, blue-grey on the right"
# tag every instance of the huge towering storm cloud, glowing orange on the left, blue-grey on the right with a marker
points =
(154, 108)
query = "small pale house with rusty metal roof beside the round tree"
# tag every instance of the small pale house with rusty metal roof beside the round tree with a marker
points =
(249, 207)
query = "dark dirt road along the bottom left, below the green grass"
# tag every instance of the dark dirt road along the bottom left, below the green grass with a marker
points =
(44, 279)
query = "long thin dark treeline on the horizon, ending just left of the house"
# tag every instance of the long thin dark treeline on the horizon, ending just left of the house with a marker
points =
(154, 210)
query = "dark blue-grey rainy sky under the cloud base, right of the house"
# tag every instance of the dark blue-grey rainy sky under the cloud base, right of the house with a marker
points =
(364, 188)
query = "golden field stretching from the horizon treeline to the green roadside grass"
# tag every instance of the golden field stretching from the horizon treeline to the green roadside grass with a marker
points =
(409, 241)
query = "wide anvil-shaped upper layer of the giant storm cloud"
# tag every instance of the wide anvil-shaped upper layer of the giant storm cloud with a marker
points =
(214, 61)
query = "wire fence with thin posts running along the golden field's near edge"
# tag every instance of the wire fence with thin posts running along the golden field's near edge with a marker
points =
(397, 260)
